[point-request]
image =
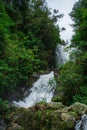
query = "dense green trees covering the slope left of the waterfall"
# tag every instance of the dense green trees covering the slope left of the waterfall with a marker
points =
(28, 37)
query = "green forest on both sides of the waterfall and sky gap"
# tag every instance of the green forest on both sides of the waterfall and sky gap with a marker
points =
(29, 34)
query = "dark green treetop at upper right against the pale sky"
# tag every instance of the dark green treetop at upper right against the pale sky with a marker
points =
(79, 16)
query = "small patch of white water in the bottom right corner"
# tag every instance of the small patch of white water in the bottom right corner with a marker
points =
(82, 124)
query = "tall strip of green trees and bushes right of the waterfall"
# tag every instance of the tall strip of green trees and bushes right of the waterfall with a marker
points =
(73, 75)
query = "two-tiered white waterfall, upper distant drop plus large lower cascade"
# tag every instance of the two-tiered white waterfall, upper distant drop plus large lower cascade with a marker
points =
(43, 88)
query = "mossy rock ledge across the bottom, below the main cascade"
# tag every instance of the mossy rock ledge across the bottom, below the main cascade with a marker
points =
(52, 116)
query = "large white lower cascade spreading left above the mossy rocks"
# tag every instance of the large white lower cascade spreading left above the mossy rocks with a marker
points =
(42, 89)
